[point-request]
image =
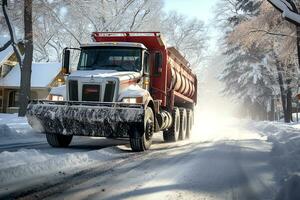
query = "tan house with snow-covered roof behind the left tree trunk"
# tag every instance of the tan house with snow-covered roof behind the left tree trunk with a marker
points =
(44, 77)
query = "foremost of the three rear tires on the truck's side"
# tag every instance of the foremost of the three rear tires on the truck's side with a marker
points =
(172, 134)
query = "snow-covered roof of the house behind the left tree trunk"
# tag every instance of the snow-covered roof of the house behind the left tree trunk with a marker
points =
(42, 75)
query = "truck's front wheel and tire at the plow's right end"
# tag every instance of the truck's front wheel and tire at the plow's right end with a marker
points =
(143, 142)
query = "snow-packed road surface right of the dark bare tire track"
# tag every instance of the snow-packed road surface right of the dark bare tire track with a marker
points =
(227, 170)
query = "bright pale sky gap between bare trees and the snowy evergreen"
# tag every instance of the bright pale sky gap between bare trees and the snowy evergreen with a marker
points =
(212, 66)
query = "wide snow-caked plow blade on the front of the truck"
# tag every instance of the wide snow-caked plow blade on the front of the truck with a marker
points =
(113, 120)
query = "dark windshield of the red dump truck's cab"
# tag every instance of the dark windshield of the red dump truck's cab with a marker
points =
(108, 58)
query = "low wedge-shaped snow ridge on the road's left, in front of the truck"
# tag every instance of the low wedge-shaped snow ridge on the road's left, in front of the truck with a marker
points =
(29, 163)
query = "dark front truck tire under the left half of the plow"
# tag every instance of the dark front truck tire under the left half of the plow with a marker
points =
(57, 140)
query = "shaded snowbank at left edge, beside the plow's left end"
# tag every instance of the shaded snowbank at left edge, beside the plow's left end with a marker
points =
(13, 127)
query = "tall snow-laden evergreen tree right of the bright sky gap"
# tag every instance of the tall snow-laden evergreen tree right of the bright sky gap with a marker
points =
(246, 76)
